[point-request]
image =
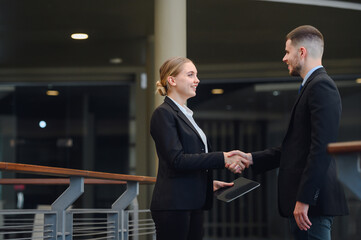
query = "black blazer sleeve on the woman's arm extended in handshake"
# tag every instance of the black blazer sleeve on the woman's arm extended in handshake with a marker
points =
(165, 133)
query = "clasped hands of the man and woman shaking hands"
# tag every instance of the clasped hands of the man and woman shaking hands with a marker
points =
(236, 161)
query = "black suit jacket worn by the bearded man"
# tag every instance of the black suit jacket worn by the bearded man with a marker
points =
(307, 173)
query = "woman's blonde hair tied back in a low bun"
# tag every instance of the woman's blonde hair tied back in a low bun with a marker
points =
(171, 67)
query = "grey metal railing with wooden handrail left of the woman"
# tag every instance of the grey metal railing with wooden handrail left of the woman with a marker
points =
(62, 222)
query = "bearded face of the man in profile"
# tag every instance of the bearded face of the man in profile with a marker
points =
(292, 59)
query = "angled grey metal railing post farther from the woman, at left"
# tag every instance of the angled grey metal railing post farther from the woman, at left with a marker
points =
(64, 221)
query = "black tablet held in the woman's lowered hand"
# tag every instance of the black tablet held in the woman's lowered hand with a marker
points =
(241, 186)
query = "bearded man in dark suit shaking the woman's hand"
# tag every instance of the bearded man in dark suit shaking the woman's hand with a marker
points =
(309, 193)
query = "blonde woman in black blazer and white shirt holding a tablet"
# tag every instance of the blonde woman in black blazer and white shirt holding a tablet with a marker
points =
(184, 186)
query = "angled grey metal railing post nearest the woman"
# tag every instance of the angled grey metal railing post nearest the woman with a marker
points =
(120, 204)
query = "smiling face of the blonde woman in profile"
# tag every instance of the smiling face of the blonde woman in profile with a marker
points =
(186, 81)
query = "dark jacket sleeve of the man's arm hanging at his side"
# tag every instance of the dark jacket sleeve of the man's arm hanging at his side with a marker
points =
(325, 111)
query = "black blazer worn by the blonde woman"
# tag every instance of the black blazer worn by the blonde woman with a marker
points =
(183, 181)
